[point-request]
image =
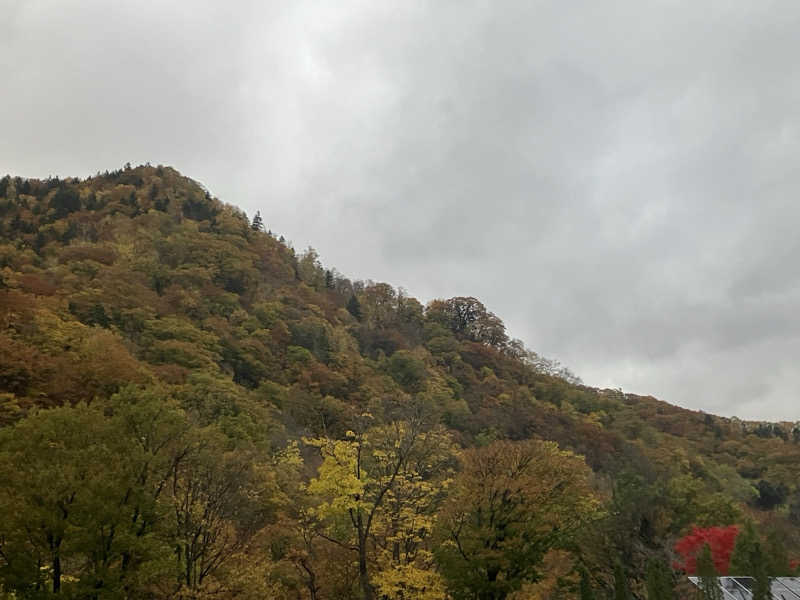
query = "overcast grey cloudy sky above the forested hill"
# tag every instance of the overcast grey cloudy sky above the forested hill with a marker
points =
(617, 180)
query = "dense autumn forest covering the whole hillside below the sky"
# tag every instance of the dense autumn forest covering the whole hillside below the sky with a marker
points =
(190, 408)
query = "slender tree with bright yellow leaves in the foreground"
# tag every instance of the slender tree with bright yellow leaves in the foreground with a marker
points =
(378, 492)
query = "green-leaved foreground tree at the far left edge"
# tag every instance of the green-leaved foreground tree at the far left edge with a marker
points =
(45, 463)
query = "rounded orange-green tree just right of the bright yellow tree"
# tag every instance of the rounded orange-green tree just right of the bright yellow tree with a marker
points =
(510, 504)
